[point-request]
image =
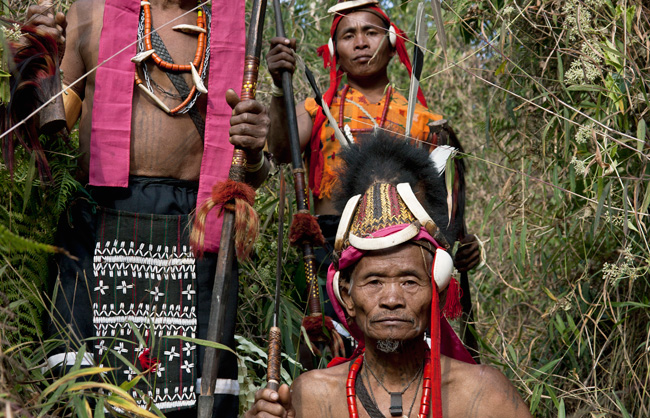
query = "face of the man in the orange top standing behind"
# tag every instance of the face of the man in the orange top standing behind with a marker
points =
(360, 36)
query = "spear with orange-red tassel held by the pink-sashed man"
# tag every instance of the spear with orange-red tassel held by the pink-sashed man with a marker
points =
(232, 190)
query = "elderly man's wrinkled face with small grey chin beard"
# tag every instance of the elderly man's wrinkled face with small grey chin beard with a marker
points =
(390, 297)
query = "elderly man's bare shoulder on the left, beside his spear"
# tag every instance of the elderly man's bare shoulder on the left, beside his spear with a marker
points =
(321, 393)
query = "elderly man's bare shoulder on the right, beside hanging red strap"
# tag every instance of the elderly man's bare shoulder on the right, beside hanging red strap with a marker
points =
(479, 391)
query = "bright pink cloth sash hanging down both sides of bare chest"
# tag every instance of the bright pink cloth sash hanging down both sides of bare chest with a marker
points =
(111, 124)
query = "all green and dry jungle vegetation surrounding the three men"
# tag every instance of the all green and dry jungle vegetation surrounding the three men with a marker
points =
(550, 101)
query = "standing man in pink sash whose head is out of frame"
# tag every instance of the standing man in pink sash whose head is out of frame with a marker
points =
(153, 211)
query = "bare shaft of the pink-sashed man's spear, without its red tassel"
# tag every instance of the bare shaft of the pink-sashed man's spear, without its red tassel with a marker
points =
(226, 255)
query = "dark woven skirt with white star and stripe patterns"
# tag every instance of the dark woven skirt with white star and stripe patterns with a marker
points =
(136, 291)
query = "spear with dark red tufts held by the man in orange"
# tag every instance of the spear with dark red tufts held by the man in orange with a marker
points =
(304, 229)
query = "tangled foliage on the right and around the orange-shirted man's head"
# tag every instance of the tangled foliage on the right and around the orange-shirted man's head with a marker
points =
(550, 102)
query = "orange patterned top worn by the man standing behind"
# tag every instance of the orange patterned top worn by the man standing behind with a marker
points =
(357, 119)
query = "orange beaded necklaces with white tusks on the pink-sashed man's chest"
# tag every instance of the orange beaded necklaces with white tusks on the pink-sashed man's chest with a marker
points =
(201, 57)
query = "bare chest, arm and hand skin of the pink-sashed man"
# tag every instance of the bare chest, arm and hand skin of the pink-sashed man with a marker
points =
(161, 146)
